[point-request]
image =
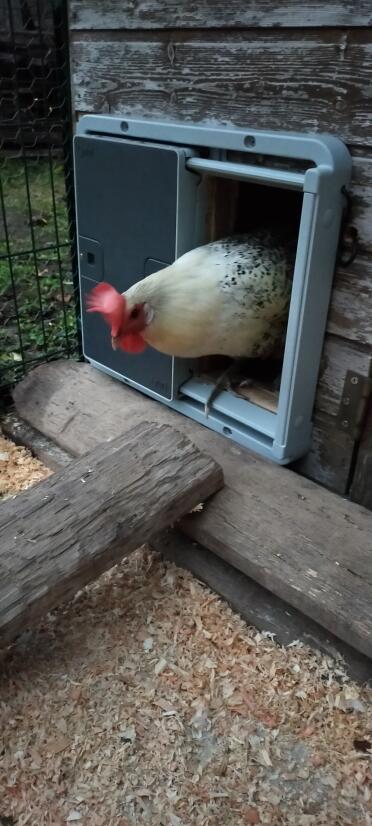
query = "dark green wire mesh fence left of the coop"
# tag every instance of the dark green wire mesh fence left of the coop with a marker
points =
(38, 262)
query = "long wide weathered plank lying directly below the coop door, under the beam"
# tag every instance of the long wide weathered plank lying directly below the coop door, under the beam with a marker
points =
(303, 543)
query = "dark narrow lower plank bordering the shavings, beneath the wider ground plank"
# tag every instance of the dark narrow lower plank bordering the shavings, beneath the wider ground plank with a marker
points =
(255, 604)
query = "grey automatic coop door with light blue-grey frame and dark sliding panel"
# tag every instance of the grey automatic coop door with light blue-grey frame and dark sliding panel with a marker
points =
(141, 203)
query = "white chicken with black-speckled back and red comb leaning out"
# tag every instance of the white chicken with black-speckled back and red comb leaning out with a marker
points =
(228, 298)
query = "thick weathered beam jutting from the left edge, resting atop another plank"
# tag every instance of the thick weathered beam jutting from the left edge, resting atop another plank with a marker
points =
(64, 532)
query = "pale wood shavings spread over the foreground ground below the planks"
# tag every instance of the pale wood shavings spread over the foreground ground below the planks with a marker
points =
(146, 700)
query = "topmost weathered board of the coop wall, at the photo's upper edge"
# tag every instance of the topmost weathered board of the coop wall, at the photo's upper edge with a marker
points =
(206, 14)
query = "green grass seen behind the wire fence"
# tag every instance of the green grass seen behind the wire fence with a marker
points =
(37, 309)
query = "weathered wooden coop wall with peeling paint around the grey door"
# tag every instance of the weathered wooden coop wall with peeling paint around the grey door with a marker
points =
(267, 65)
